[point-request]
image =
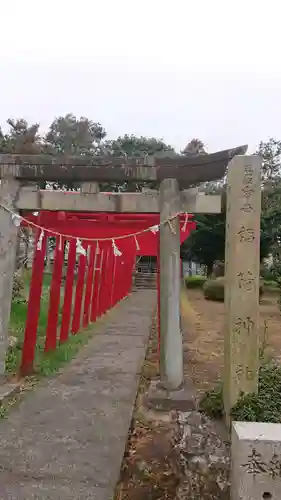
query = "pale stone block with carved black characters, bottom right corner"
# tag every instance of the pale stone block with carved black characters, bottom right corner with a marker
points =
(256, 461)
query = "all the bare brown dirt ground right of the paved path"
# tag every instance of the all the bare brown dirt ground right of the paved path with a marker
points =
(150, 466)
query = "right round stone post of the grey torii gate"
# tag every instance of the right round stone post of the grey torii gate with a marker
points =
(171, 346)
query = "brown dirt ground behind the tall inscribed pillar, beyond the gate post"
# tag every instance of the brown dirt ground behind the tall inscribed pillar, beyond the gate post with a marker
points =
(202, 323)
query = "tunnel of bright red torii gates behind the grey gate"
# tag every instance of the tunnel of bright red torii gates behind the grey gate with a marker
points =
(104, 275)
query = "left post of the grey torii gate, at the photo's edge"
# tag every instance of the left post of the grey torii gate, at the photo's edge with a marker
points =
(9, 189)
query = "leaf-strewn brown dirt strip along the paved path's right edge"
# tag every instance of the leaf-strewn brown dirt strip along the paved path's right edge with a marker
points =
(148, 470)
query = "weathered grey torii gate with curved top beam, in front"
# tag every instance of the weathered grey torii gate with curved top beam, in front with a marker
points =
(172, 173)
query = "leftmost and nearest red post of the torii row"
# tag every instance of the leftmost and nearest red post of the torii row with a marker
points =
(33, 309)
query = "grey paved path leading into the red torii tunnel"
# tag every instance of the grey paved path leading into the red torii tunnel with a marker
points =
(67, 438)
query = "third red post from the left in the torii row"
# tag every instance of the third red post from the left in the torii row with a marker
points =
(68, 292)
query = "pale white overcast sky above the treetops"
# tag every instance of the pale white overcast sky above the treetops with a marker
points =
(171, 69)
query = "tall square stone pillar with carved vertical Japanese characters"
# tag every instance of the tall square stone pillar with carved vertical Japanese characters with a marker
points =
(242, 270)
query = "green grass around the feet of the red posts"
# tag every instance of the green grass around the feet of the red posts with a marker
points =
(45, 364)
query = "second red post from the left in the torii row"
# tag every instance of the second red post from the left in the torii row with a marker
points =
(53, 314)
